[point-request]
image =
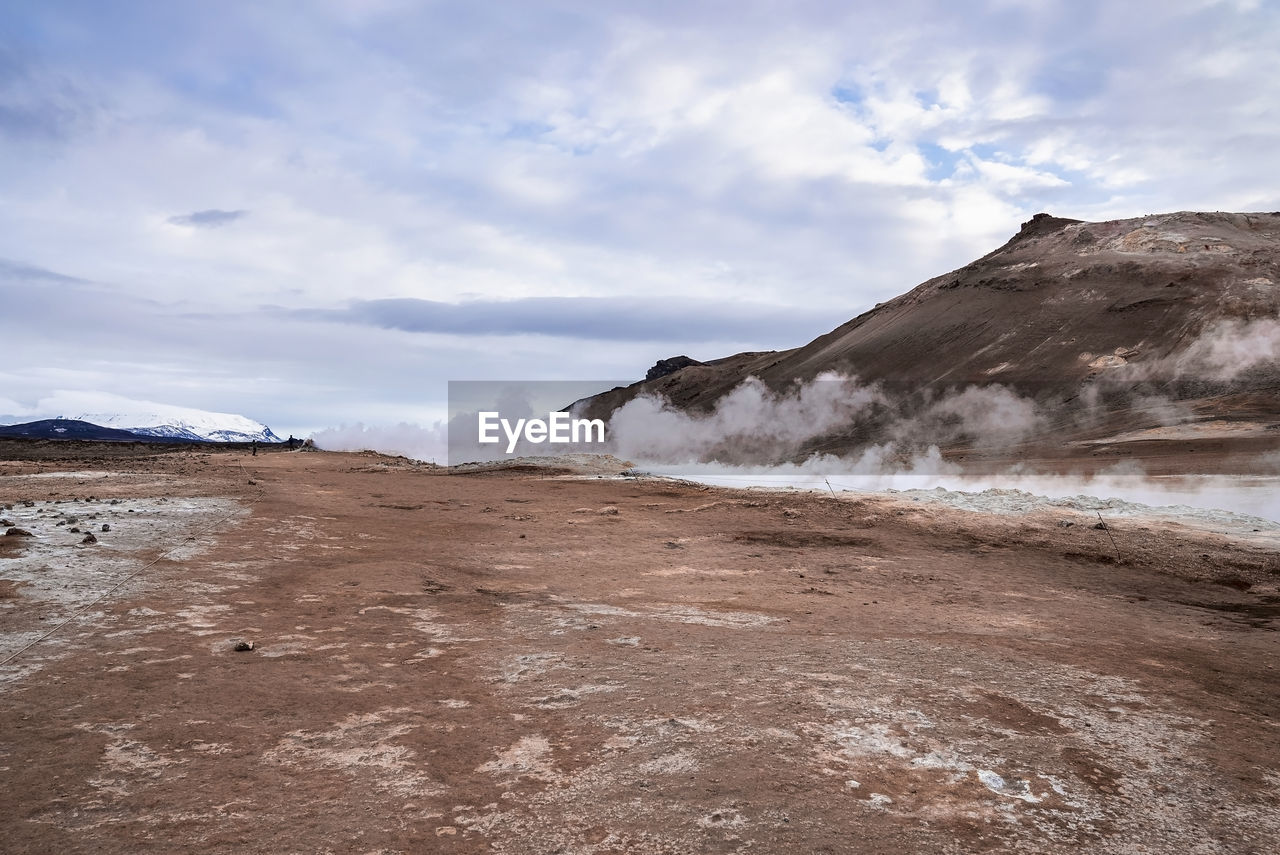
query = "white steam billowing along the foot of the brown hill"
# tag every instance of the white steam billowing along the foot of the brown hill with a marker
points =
(890, 440)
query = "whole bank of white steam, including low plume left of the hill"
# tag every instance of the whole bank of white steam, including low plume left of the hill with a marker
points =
(838, 432)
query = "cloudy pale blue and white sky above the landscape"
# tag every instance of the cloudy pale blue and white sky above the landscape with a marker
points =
(319, 214)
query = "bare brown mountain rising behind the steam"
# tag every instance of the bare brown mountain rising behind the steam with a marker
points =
(1186, 307)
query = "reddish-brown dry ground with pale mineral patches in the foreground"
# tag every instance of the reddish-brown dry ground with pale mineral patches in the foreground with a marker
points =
(527, 662)
